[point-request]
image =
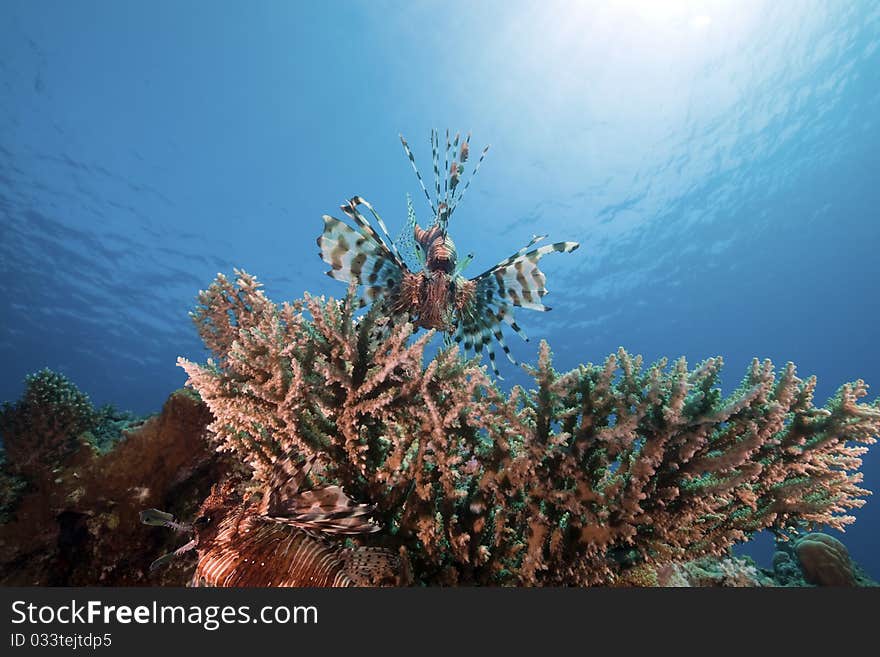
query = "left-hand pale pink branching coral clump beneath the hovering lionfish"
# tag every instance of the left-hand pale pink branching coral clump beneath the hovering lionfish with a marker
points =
(356, 396)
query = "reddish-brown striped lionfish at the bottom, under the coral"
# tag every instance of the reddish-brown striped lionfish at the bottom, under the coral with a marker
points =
(282, 540)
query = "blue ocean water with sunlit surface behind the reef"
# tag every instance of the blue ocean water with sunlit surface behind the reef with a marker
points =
(717, 161)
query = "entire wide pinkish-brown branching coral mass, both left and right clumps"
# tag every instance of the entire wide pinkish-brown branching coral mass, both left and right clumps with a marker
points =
(593, 473)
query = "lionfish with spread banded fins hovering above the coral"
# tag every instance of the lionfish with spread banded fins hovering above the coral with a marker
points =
(428, 287)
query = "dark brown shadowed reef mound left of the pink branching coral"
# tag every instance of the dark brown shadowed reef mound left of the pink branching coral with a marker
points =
(75, 520)
